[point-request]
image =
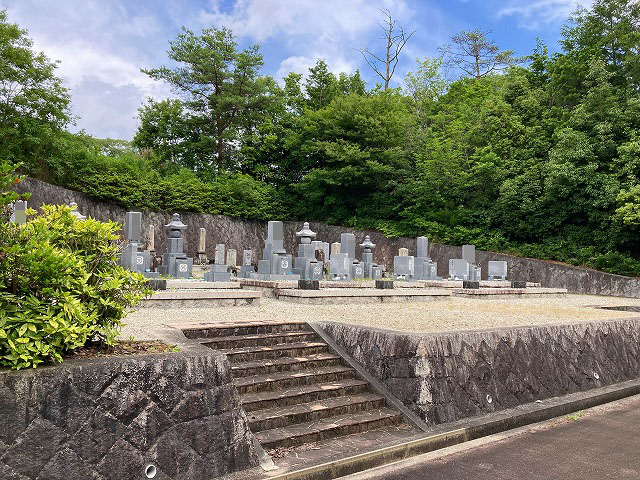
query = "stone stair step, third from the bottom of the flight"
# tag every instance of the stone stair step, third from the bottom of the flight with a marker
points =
(302, 394)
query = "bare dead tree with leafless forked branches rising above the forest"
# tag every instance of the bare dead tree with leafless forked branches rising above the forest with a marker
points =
(396, 38)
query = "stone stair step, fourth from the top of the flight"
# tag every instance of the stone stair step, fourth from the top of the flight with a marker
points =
(284, 364)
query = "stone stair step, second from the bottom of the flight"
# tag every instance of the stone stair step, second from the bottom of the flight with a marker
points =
(280, 417)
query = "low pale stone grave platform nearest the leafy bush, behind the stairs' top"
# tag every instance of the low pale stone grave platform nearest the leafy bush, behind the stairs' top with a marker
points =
(183, 298)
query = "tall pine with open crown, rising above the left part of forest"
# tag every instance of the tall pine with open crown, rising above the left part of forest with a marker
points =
(223, 92)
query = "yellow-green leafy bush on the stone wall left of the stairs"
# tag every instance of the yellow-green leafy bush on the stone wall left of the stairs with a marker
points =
(60, 287)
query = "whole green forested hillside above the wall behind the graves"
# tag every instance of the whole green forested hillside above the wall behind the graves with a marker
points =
(538, 156)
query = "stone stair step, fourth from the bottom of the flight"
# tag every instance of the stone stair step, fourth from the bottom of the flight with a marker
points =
(288, 379)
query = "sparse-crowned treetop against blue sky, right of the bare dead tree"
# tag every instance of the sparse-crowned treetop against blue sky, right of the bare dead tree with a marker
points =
(476, 55)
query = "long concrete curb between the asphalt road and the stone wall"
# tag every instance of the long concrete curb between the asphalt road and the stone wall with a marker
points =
(466, 430)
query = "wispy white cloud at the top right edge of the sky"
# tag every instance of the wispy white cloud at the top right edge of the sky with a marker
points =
(537, 13)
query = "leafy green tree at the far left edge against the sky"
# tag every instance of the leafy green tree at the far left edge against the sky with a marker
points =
(34, 106)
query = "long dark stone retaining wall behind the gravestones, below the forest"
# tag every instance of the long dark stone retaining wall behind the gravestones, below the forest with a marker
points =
(243, 234)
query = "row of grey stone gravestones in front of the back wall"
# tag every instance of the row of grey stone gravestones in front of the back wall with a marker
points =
(276, 264)
